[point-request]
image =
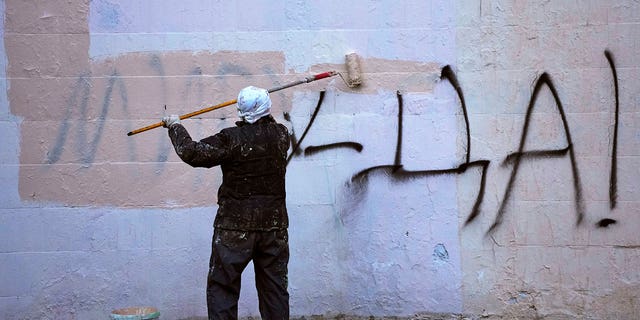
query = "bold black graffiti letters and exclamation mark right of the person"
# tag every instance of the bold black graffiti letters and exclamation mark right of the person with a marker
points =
(358, 182)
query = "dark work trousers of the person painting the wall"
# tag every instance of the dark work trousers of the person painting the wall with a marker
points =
(231, 251)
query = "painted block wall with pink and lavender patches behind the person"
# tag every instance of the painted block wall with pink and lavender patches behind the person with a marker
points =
(487, 166)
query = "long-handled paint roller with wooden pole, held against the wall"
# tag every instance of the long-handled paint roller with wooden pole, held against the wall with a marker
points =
(353, 79)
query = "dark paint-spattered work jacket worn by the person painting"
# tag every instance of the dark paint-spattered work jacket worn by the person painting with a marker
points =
(253, 159)
